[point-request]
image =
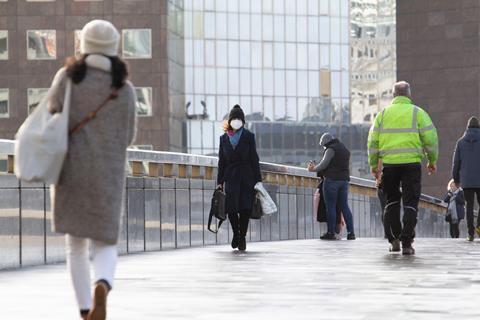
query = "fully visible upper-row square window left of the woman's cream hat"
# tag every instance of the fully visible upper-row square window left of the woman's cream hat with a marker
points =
(41, 45)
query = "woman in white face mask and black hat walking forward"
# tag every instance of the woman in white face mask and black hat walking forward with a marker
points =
(238, 172)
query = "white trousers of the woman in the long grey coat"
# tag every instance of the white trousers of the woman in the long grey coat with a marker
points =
(104, 261)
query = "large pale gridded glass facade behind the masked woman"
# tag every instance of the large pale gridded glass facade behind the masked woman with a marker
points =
(286, 62)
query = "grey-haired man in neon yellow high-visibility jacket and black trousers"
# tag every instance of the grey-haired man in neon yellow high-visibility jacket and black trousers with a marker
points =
(401, 136)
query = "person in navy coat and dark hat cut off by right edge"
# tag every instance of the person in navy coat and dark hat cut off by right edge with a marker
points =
(466, 171)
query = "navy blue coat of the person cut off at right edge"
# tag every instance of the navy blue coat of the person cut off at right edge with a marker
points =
(466, 169)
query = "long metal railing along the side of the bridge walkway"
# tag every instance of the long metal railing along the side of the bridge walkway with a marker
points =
(167, 205)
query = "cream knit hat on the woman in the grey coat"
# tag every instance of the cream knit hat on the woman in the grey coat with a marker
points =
(99, 36)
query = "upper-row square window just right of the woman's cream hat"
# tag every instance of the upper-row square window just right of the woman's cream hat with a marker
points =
(137, 43)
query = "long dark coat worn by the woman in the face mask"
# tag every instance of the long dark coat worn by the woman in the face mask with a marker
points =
(239, 169)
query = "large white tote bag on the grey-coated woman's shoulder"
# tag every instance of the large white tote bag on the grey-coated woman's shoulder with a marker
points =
(42, 142)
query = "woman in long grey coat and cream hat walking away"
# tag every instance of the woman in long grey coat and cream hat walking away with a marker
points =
(87, 200)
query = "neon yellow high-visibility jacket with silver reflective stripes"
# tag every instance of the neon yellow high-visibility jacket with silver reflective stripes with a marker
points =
(402, 133)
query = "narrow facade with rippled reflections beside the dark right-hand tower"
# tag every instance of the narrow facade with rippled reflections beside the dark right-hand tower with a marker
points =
(373, 57)
